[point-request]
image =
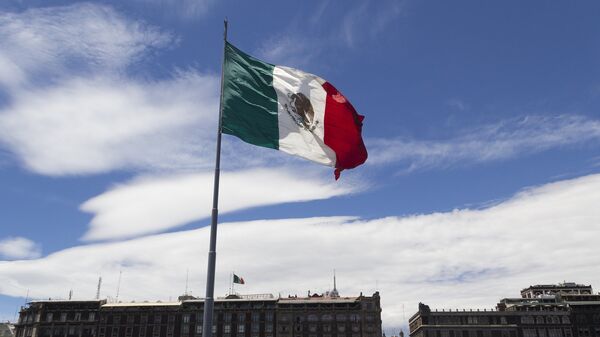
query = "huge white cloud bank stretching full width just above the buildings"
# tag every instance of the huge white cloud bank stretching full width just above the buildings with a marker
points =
(460, 259)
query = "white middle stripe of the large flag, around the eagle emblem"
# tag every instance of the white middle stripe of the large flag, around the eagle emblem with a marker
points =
(293, 138)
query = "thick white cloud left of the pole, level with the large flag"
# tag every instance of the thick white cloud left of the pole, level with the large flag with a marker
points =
(85, 126)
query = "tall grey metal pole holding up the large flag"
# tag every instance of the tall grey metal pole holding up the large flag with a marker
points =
(212, 252)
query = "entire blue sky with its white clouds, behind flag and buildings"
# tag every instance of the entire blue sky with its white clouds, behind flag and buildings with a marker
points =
(482, 127)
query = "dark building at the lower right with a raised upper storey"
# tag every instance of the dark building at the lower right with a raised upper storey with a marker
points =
(562, 310)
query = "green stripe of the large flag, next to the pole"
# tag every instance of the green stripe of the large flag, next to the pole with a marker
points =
(249, 99)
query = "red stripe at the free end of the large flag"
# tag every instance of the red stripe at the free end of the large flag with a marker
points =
(343, 126)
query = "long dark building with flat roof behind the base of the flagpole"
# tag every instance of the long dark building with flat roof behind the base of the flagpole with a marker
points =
(325, 315)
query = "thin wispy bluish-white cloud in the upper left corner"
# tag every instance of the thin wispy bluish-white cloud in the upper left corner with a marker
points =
(63, 40)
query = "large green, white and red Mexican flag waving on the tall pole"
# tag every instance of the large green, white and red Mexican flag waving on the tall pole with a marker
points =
(291, 111)
